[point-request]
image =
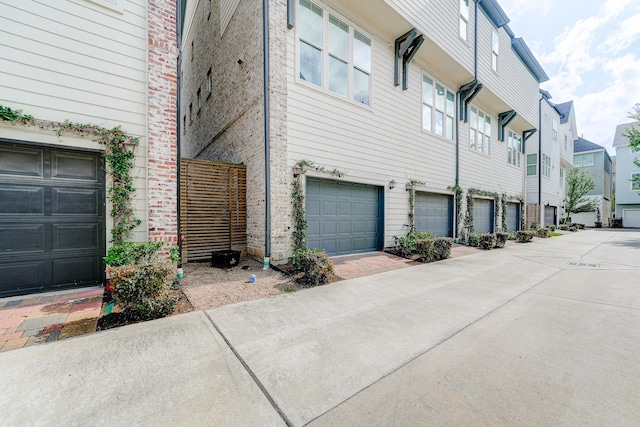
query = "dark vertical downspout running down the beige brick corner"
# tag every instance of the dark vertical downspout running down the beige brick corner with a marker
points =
(267, 165)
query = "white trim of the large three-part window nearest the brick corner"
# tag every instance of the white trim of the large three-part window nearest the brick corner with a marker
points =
(352, 68)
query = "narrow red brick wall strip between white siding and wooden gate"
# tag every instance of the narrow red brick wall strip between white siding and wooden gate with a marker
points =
(162, 98)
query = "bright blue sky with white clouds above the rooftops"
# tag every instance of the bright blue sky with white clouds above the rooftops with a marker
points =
(590, 49)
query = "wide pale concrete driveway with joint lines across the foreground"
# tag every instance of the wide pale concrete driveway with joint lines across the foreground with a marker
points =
(545, 333)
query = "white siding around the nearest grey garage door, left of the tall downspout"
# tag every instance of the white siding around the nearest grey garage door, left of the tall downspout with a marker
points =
(376, 144)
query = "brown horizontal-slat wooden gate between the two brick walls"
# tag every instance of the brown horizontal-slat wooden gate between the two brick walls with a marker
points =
(213, 208)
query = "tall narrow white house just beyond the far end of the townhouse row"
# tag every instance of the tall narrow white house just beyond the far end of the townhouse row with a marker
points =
(548, 156)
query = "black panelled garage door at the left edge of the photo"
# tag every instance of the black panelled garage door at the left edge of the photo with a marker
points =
(51, 218)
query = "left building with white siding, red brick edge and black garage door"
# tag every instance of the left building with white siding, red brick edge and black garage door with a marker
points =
(106, 62)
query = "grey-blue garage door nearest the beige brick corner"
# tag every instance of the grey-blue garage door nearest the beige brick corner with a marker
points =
(343, 218)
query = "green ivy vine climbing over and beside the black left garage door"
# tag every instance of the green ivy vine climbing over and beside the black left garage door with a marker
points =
(119, 164)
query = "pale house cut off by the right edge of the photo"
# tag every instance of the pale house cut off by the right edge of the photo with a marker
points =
(627, 191)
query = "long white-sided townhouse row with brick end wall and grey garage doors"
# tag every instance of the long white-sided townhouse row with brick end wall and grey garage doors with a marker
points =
(370, 88)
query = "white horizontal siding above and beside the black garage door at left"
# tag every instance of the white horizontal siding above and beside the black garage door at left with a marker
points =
(80, 61)
